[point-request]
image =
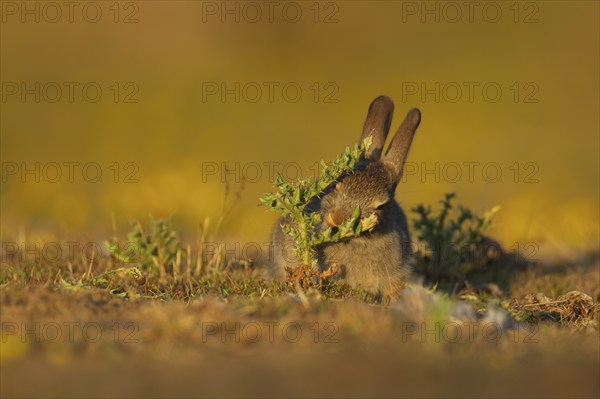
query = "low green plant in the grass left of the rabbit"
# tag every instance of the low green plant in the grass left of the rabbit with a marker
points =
(154, 248)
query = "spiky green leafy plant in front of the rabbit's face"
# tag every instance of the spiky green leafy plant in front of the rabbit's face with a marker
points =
(291, 200)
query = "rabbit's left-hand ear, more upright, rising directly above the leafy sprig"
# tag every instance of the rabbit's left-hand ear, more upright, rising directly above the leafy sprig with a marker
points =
(377, 125)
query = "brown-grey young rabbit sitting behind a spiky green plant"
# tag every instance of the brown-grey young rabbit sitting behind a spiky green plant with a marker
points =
(378, 261)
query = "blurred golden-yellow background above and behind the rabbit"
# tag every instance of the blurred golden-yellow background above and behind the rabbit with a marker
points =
(509, 87)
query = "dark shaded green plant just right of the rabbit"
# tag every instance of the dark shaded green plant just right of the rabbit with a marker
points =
(454, 237)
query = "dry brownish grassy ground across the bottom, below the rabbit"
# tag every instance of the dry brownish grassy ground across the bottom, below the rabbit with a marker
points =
(190, 336)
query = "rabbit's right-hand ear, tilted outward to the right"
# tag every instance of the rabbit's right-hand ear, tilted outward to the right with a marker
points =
(397, 152)
